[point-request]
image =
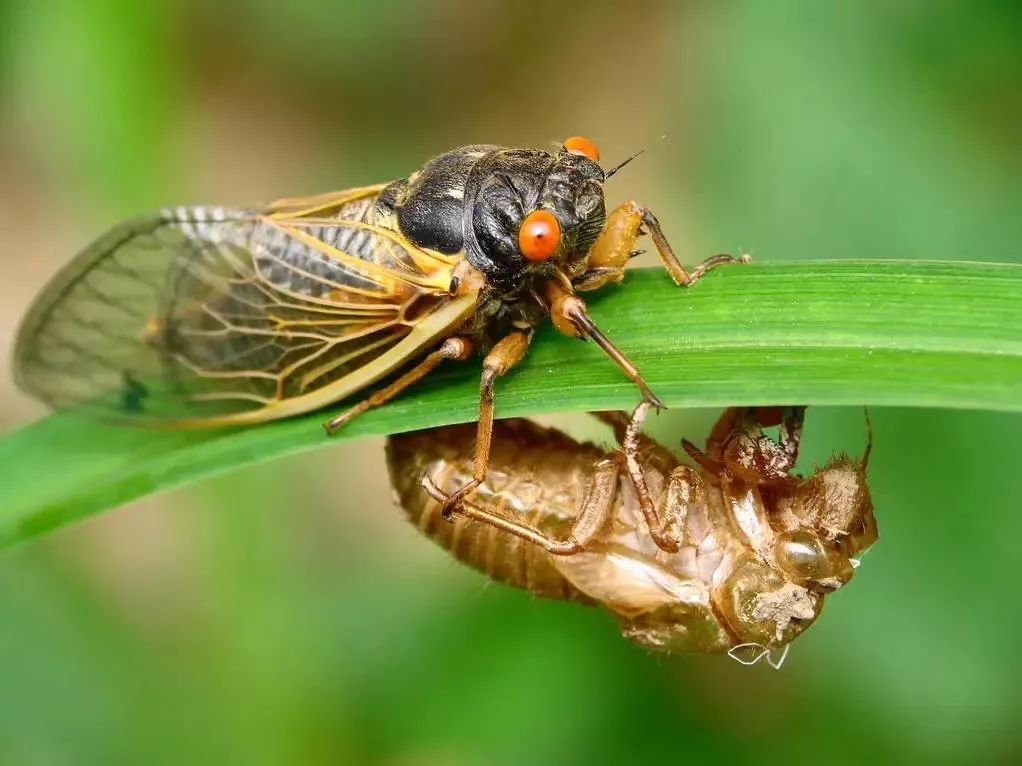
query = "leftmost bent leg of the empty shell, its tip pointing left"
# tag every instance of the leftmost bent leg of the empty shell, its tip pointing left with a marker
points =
(592, 516)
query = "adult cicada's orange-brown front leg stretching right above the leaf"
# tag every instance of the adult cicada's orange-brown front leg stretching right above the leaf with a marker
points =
(617, 244)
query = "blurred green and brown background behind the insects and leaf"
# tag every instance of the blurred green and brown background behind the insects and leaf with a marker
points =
(289, 614)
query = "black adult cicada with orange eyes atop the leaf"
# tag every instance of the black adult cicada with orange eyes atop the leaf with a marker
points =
(206, 316)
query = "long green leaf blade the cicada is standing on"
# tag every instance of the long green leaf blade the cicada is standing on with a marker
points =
(882, 333)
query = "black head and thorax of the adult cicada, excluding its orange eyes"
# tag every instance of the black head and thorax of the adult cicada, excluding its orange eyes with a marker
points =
(472, 204)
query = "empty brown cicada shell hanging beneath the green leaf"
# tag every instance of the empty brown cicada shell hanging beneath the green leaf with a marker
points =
(734, 555)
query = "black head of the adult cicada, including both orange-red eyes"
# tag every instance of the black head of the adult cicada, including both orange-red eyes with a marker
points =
(532, 212)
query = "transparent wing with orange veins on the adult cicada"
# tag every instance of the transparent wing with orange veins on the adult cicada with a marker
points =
(210, 315)
